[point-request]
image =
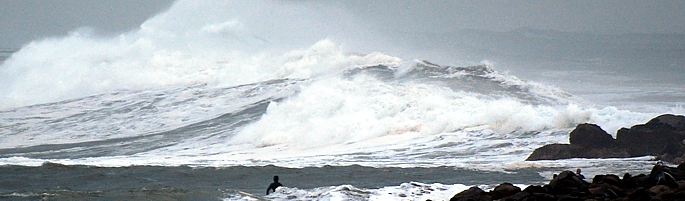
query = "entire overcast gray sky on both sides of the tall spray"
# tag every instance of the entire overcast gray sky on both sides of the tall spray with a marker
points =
(24, 20)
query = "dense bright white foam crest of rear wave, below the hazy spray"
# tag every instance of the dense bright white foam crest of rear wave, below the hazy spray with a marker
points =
(55, 70)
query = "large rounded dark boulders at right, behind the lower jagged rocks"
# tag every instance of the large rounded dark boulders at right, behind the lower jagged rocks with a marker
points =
(662, 137)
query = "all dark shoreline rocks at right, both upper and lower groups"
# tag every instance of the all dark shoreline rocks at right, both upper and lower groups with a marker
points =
(662, 137)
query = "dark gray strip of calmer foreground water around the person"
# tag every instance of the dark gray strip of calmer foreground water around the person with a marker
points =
(61, 182)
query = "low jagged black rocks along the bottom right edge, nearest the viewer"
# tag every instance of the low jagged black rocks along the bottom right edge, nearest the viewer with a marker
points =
(662, 183)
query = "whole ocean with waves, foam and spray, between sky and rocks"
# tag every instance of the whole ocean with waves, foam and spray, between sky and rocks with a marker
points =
(210, 101)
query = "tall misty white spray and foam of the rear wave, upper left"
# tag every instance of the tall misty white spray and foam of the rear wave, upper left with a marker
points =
(217, 42)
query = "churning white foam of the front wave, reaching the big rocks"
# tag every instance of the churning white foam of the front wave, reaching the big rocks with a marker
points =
(325, 121)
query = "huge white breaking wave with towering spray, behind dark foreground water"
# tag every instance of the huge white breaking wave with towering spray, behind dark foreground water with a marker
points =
(225, 83)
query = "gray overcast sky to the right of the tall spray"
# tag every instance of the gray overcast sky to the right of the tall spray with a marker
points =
(627, 16)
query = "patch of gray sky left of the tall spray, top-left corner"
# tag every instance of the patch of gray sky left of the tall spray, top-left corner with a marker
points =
(26, 20)
